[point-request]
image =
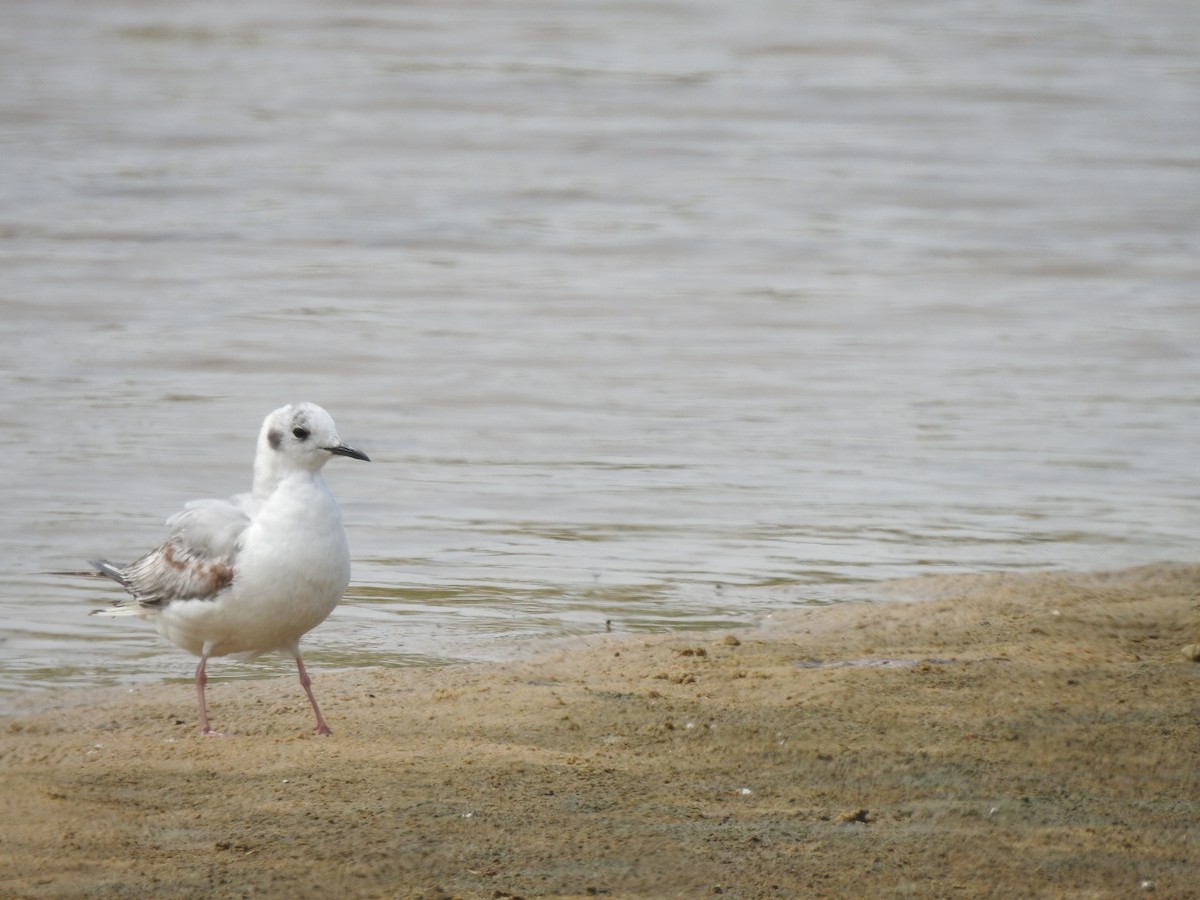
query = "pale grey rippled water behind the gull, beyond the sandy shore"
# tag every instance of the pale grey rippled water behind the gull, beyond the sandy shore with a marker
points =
(663, 314)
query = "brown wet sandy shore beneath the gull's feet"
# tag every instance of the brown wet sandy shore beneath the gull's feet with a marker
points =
(1017, 736)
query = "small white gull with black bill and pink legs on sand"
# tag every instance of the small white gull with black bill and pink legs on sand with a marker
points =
(256, 573)
